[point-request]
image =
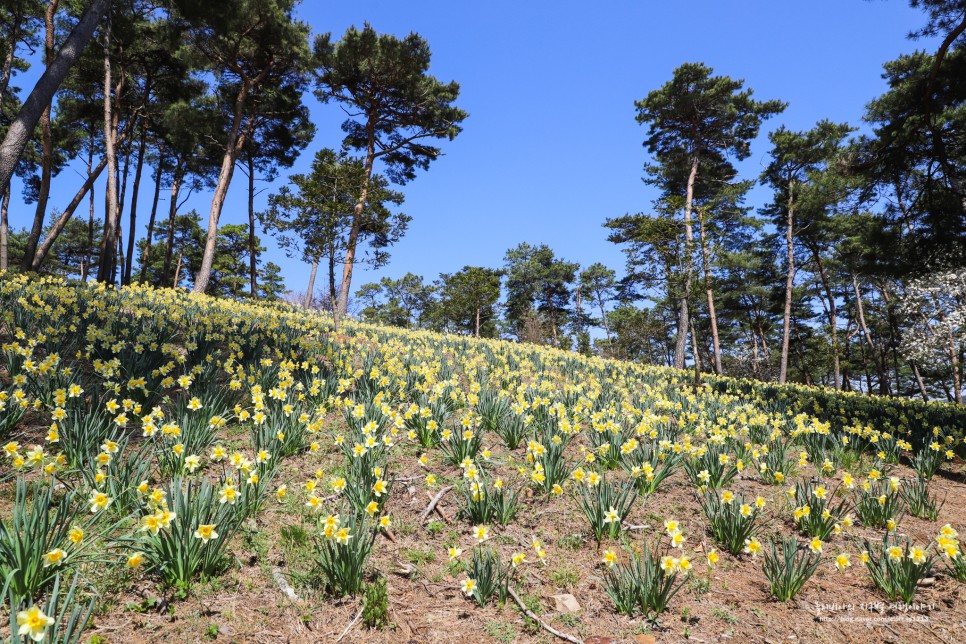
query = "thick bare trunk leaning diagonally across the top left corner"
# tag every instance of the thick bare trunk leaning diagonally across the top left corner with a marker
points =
(23, 125)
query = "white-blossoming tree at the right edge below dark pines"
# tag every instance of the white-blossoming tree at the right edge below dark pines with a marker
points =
(935, 308)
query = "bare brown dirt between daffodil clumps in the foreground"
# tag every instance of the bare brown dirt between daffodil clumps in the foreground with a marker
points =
(427, 606)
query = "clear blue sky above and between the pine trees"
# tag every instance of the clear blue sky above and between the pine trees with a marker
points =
(551, 147)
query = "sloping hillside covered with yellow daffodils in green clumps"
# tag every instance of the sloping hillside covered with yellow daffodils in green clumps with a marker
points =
(182, 468)
